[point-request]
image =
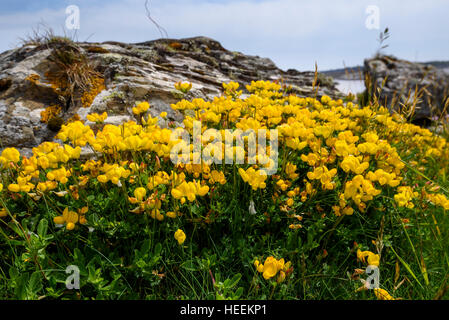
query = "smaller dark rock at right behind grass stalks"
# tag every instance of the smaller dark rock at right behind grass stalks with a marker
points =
(406, 80)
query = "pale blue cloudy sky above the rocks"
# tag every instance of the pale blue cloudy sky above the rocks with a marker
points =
(295, 34)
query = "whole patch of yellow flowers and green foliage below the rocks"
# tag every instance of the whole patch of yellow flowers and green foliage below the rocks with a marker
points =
(354, 189)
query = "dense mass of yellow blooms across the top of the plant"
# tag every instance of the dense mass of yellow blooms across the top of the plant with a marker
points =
(324, 145)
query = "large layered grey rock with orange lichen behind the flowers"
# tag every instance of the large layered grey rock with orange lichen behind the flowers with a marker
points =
(129, 73)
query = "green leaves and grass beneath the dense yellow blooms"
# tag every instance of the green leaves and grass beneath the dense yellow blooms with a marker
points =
(122, 252)
